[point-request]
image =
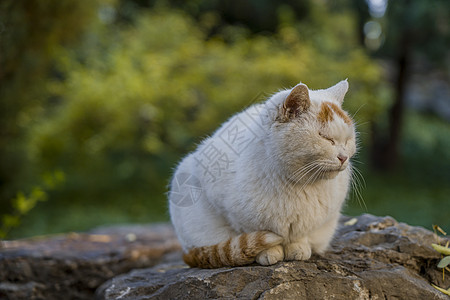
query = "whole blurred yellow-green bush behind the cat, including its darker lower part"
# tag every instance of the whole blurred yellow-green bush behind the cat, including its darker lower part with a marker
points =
(136, 98)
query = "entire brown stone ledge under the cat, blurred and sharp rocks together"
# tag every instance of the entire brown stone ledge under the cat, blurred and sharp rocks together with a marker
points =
(374, 258)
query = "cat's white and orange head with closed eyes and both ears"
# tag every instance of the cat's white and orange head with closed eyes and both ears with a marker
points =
(311, 135)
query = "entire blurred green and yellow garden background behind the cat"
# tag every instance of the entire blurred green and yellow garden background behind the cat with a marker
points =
(100, 99)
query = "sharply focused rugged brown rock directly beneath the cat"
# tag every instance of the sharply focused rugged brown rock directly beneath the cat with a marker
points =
(374, 258)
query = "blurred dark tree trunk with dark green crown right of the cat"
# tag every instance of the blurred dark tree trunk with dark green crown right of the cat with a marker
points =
(415, 30)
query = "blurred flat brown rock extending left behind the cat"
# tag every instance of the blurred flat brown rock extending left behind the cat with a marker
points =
(72, 266)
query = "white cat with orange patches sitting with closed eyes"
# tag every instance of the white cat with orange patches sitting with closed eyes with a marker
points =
(269, 184)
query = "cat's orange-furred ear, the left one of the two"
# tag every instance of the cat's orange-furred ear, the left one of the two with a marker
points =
(297, 102)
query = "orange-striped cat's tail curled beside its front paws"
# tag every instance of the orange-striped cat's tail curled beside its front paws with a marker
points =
(237, 251)
